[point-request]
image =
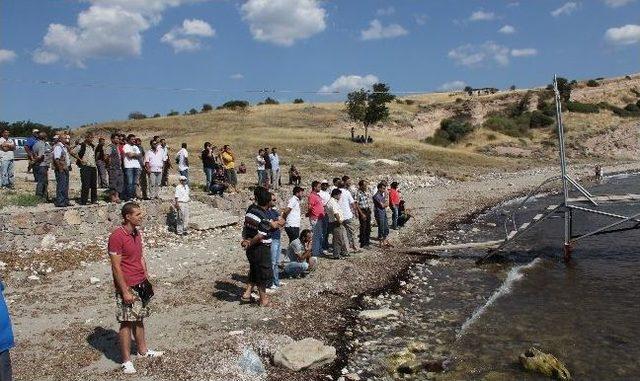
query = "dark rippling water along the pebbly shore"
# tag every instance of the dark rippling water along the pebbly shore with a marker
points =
(481, 318)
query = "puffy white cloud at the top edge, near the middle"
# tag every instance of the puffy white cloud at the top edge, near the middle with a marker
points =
(282, 22)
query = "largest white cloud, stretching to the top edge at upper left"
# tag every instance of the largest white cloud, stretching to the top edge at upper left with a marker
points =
(108, 28)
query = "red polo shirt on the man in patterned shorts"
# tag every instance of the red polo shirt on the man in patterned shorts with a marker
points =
(129, 247)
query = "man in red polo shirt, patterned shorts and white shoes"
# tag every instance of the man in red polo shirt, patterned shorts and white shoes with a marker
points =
(133, 289)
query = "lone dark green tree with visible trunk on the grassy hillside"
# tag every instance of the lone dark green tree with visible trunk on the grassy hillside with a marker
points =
(369, 107)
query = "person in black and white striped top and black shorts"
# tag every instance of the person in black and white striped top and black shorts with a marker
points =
(256, 242)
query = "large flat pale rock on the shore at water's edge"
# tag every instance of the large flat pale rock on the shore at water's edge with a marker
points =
(304, 354)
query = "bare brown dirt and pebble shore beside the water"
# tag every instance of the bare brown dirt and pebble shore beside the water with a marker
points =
(65, 326)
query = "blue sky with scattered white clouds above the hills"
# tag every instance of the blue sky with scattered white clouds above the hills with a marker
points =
(74, 62)
